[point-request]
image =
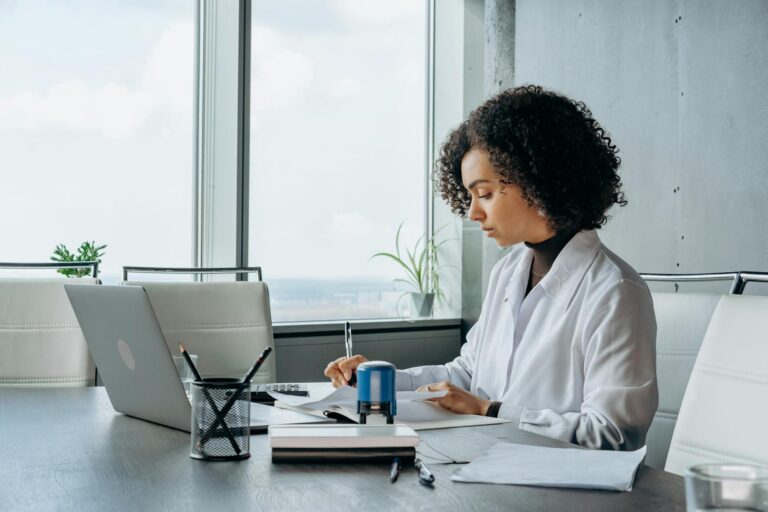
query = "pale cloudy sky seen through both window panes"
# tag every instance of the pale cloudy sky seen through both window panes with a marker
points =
(96, 131)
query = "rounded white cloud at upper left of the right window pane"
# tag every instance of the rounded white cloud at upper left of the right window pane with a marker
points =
(280, 77)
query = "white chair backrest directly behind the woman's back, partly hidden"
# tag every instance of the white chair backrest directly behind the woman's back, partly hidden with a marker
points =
(682, 320)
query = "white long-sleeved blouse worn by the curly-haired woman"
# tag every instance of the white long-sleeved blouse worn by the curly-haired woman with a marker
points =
(574, 360)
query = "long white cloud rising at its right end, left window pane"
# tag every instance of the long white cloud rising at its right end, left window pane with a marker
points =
(112, 110)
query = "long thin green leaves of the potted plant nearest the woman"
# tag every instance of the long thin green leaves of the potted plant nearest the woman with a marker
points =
(420, 263)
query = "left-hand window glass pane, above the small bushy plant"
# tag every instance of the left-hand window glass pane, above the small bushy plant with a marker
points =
(96, 126)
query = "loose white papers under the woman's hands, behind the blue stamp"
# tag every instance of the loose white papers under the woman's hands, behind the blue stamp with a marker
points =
(412, 410)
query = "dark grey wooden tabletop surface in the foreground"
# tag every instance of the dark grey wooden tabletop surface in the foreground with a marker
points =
(66, 449)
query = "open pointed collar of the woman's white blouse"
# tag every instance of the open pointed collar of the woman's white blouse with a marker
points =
(569, 267)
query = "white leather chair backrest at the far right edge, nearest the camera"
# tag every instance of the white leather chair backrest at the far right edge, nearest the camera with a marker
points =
(724, 413)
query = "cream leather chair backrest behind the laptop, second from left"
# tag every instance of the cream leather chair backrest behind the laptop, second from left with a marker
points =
(227, 324)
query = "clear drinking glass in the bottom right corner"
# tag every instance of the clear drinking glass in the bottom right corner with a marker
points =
(726, 487)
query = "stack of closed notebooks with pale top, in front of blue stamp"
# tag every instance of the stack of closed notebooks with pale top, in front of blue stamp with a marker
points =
(342, 443)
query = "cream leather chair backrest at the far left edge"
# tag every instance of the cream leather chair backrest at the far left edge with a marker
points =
(41, 343)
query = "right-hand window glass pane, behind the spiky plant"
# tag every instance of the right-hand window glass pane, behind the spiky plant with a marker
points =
(337, 151)
